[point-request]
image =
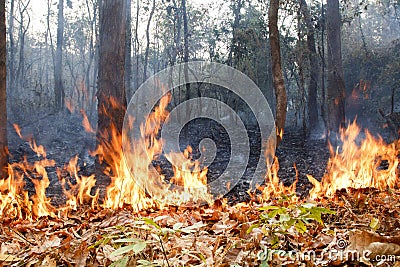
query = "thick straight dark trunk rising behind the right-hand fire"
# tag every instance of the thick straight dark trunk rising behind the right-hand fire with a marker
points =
(335, 87)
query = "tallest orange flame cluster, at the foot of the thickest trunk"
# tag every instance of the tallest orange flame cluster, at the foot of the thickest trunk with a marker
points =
(133, 177)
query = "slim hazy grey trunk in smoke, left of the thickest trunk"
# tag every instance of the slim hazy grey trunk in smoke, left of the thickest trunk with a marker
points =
(58, 82)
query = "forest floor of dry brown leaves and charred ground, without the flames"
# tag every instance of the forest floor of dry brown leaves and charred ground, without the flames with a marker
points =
(284, 231)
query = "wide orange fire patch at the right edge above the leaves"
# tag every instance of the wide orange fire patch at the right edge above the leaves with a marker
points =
(371, 164)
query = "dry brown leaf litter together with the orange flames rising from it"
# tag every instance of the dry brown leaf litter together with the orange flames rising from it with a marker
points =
(359, 191)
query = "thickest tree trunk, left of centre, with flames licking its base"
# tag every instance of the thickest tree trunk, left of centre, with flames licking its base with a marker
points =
(111, 85)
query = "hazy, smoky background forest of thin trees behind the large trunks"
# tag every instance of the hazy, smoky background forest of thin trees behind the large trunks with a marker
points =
(52, 51)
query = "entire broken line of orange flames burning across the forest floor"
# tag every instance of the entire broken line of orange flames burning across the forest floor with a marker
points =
(136, 183)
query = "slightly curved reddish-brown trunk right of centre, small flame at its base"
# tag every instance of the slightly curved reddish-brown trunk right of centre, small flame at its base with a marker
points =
(277, 74)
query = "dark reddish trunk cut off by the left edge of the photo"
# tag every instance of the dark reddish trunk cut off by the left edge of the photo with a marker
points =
(3, 99)
